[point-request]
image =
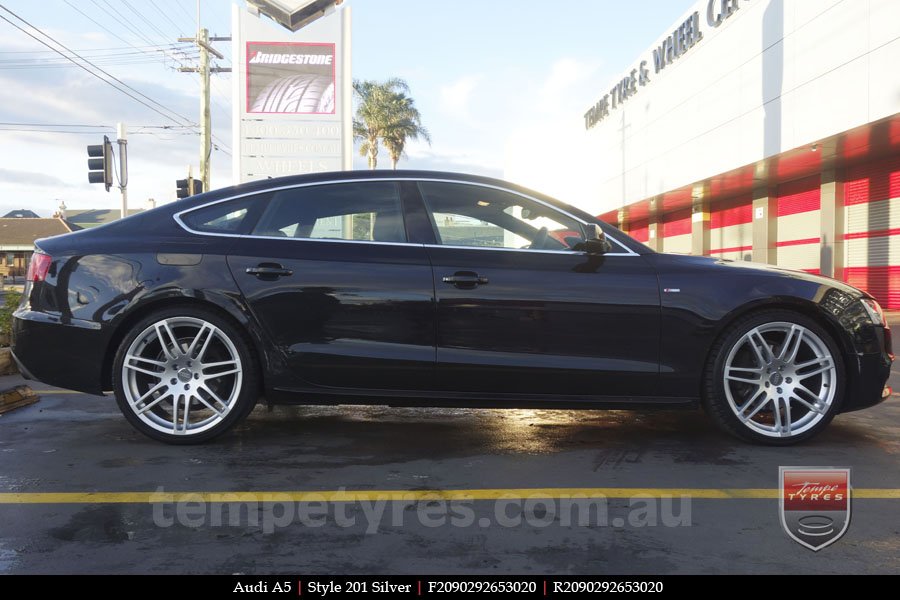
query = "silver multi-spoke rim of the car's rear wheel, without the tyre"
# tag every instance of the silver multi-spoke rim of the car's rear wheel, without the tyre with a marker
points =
(182, 375)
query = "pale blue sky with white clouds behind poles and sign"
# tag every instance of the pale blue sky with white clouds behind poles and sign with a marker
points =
(502, 87)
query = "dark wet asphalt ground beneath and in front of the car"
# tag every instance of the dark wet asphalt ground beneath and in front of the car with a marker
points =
(74, 443)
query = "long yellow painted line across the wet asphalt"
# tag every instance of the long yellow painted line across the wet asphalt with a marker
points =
(409, 495)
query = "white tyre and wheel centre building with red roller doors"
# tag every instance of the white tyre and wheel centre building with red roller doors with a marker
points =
(764, 130)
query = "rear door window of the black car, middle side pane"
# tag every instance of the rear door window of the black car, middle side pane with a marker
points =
(363, 211)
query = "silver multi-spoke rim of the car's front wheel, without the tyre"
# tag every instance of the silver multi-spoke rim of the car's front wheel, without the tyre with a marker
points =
(780, 379)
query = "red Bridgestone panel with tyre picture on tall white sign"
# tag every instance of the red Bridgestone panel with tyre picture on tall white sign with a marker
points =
(290, 78)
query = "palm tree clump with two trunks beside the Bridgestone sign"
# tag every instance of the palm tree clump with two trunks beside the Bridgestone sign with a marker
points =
(386, 114)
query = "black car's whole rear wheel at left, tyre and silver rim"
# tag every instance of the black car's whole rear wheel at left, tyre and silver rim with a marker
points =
(184, 375)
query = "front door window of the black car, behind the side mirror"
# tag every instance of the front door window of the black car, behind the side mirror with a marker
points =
(471, 215)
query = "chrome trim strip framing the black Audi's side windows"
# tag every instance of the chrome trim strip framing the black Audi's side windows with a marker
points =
(177, 216)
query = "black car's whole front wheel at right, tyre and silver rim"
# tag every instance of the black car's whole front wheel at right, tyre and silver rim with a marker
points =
(775, 377)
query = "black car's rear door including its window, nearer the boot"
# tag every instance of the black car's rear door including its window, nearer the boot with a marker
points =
(329, 272)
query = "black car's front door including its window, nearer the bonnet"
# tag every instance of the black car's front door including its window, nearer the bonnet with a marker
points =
(520, 311)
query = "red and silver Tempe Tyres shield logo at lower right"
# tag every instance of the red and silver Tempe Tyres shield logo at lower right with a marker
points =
(814, 504)
